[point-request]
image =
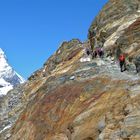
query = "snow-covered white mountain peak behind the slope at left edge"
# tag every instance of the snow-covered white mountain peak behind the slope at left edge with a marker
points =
(9, 78)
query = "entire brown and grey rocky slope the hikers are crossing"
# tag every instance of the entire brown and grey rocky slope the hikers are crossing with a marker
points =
(76, 98)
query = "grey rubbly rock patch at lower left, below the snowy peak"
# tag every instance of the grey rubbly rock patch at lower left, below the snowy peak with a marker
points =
(10, 103)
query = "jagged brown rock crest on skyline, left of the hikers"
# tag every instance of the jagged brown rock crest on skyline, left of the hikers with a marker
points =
(66, 52)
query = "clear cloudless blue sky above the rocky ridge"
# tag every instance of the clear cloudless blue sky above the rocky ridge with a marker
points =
(32, 30)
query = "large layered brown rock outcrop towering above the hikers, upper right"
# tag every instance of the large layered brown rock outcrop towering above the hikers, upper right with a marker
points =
(120, 21)
